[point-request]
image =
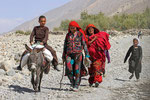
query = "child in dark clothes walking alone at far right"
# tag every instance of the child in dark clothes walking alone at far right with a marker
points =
(135, 59)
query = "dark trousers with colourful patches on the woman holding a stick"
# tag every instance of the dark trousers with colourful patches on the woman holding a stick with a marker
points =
(73, 68)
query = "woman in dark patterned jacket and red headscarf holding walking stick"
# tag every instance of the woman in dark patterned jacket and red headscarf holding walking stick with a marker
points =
(72, 54)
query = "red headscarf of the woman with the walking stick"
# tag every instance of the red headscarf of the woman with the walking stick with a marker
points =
(75, 24)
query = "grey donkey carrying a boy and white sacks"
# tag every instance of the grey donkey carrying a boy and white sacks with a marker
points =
(37, 64)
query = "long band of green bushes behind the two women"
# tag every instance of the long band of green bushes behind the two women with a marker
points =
(117, 22)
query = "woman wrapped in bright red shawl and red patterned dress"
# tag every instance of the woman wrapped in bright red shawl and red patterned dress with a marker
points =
(98, 42)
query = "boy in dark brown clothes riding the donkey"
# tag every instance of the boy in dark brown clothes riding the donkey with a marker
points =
(40, 35)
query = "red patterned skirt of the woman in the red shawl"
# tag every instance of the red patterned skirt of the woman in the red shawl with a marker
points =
(95, 71)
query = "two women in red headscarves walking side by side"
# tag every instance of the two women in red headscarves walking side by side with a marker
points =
(95, 45)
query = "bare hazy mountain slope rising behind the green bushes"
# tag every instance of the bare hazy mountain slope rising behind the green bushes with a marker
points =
(73, 9)
